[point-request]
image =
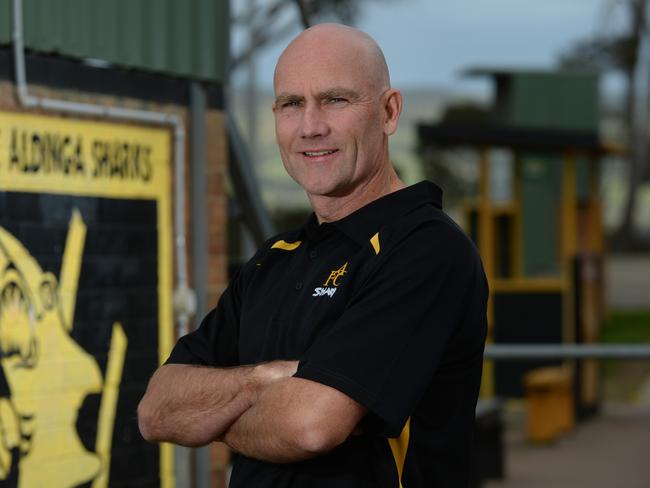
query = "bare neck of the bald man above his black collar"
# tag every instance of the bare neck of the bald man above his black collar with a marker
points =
(330, 209)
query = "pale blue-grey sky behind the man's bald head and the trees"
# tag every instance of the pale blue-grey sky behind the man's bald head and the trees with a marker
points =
(427, 43)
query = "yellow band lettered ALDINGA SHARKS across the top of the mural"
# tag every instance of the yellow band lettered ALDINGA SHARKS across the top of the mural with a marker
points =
(82, 157)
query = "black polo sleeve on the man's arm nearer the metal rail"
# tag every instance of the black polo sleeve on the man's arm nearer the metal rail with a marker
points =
(385, 348)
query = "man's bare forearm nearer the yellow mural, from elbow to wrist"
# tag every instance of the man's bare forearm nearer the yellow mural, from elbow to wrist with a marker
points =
(194, 405)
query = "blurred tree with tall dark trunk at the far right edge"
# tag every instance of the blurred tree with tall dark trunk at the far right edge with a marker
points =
(623, 52)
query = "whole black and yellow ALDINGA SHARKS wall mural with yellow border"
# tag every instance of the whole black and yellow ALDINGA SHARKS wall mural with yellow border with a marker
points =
(51, 169)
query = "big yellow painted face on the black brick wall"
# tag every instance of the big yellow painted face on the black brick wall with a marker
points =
(48, 379)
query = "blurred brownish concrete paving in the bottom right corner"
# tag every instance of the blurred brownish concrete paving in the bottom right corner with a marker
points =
(609, 451)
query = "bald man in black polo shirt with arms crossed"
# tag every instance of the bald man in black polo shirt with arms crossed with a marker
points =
(346, 353)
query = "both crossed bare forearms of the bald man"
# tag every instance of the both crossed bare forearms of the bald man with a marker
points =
(259, 410)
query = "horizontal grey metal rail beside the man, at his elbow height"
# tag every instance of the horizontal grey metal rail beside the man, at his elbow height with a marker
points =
(566, 351)
